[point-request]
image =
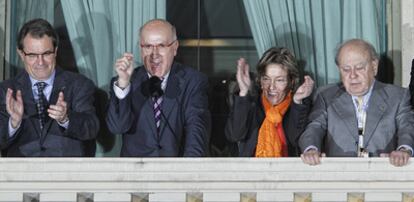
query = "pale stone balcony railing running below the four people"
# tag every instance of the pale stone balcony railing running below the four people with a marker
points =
(208, 179)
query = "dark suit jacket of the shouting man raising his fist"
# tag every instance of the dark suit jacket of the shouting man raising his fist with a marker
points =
(185, 124)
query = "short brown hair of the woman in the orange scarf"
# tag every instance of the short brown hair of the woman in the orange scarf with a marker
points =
(283, 57)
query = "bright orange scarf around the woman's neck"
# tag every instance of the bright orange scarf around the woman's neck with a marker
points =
(271, 141)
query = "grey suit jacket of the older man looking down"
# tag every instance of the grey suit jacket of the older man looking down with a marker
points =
(333, 126)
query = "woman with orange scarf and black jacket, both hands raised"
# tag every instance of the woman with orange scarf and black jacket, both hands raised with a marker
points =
(269, 124)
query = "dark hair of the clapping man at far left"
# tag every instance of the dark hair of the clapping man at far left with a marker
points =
(37, 28)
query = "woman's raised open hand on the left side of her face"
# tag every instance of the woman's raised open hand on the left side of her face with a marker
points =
(243, 77)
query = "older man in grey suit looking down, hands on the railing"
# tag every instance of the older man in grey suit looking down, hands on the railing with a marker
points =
(360, 116)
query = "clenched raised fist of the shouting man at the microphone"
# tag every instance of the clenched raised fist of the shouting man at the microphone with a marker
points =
(124, 69)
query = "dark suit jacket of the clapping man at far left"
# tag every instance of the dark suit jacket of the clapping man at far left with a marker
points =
(53, 140)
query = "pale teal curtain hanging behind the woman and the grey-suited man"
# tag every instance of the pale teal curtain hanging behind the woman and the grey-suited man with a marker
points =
(312, 29)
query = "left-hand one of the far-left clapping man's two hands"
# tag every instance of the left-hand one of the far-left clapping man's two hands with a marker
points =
(14, 107)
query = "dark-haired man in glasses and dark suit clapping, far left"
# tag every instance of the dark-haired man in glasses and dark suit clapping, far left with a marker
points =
(45, 111)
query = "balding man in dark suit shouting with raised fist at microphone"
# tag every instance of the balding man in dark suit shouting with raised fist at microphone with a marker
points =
(160, 108)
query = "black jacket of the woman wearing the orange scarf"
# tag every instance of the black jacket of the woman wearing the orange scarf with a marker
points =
(247, 115)
